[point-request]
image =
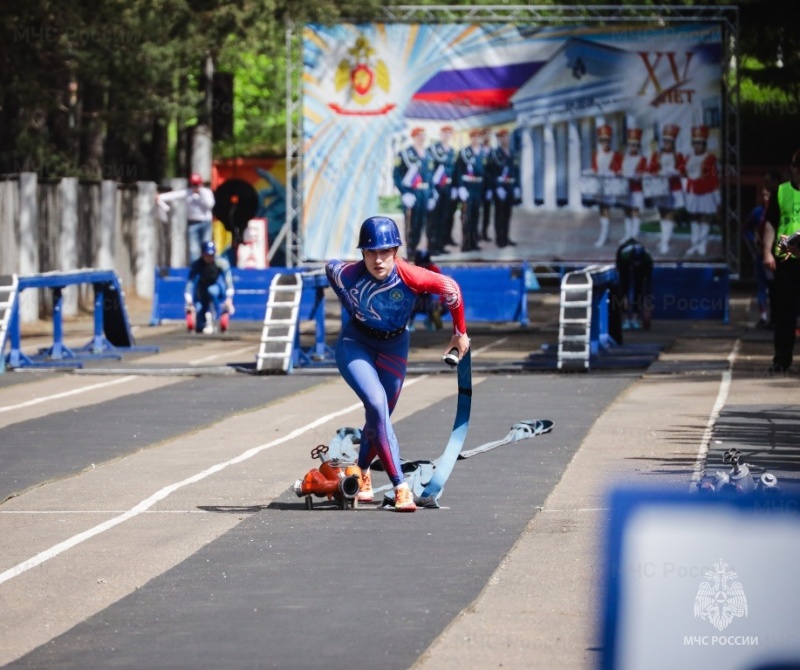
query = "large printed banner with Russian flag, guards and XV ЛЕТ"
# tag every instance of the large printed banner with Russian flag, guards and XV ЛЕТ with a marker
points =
(566, 140)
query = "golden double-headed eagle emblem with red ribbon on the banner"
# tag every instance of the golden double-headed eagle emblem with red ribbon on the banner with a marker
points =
(364, 80)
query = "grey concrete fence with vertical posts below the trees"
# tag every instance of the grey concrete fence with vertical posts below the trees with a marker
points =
(69, 224)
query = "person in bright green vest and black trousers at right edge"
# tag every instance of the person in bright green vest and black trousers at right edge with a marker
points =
(782, 221)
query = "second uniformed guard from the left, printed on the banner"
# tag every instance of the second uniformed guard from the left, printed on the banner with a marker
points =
(440, 224)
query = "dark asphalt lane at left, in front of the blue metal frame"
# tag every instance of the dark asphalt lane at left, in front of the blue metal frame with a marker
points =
(65, 443)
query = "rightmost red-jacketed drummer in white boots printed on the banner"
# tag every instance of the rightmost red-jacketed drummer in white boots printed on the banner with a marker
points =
(702, 191)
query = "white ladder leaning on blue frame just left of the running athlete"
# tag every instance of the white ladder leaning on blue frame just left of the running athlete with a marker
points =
(276, 352)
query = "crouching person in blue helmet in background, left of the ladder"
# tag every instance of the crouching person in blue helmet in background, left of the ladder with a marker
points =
(209, 292)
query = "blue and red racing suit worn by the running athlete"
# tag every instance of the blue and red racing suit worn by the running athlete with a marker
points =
(372, 351)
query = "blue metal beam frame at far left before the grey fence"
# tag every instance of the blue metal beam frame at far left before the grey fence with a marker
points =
(112, 333)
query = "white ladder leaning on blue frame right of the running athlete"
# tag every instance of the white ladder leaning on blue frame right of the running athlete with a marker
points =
(575, 321)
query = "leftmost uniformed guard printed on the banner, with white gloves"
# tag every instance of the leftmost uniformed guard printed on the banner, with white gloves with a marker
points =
(412, 177)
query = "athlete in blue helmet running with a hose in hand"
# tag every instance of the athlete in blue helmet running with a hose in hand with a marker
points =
(378, 294)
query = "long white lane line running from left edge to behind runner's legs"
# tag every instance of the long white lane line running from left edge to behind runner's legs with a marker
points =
(143, 506)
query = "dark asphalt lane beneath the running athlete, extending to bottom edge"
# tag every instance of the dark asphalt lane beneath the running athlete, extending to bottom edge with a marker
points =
(367, 588)
